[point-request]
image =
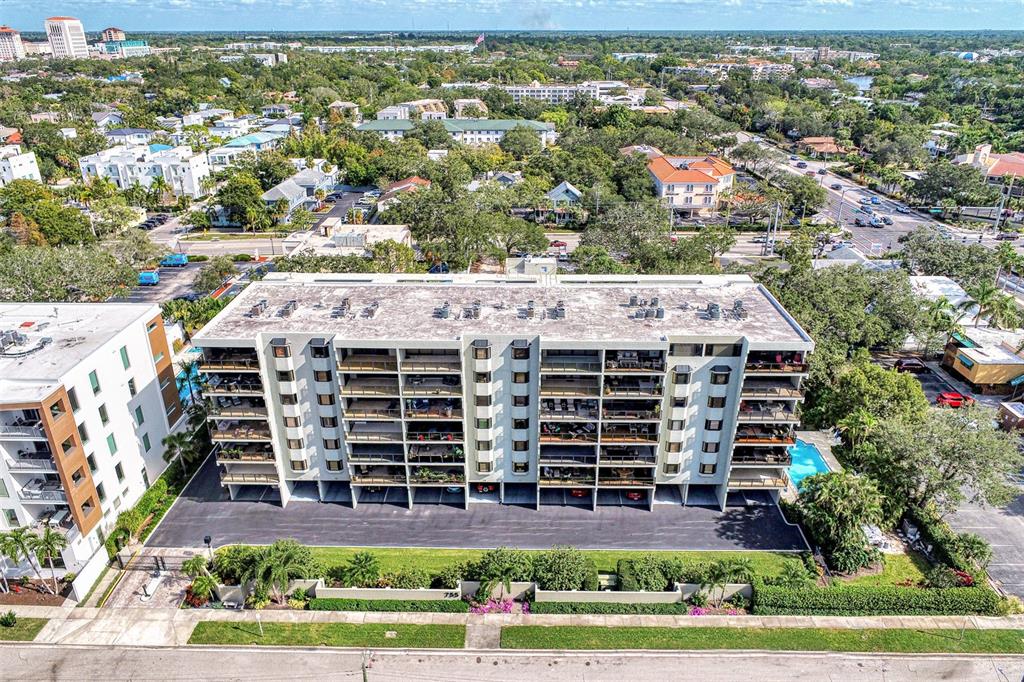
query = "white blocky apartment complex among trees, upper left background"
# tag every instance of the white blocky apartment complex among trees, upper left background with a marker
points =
(126, 166)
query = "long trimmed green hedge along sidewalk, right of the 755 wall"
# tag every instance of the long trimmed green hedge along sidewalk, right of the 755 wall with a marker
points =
(886, 601)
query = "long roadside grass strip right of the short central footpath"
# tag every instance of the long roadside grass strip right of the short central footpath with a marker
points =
(779, 640)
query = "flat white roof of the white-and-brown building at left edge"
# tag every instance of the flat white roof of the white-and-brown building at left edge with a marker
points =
(56, 338)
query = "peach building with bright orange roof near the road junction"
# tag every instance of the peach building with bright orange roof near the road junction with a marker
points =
(692, 186)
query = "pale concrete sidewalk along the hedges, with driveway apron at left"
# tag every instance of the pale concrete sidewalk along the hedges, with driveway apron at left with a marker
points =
(173, 627)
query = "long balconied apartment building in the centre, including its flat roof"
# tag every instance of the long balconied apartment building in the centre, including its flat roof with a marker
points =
(531, 391)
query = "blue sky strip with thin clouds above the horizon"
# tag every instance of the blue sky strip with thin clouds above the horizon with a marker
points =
(511, 15)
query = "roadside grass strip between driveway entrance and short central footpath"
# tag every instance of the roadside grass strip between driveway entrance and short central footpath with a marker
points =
(331, 634)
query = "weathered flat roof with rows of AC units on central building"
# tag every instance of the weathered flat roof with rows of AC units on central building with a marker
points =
(598, 309)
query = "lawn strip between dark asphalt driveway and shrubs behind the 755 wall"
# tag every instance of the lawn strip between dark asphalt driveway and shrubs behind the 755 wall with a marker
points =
(433, 561)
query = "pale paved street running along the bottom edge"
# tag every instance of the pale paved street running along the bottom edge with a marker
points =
(27, 662)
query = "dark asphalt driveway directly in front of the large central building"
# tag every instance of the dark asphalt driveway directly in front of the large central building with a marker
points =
(204, 509)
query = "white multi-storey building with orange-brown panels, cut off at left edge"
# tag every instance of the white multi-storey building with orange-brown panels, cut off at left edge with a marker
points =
(88, 394)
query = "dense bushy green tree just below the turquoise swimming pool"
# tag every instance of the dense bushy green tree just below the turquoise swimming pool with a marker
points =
(835, 507)
